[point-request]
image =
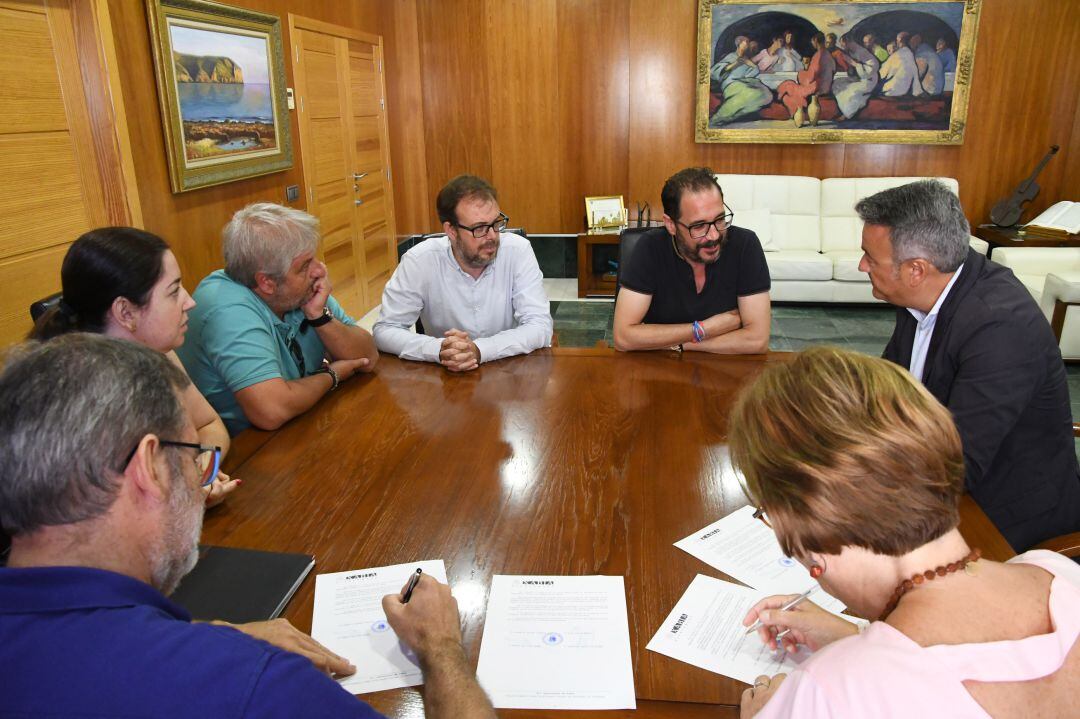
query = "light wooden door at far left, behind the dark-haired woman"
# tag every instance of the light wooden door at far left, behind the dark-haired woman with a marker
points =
(60, 162)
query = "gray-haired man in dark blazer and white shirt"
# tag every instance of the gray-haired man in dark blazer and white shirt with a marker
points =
(971, 333)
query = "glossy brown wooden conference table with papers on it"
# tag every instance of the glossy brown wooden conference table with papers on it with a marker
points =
(561, 463)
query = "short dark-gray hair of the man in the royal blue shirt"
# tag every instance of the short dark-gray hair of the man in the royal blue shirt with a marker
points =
(72, 411)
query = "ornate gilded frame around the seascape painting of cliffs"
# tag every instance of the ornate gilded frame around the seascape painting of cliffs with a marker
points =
(194, 173)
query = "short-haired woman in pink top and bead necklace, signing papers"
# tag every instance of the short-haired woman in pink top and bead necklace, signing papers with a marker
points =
(859, 471)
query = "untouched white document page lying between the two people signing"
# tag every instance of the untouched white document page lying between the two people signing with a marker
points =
(558, 643)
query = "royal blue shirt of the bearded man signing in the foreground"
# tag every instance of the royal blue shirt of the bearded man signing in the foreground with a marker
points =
(89, 643)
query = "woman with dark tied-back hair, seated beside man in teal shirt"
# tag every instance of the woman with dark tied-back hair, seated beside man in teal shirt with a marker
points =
(126, 283)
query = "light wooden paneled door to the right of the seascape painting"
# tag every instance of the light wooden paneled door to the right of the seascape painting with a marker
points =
(346, 157)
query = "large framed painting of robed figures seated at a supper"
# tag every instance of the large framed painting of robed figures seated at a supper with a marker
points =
(841, 72)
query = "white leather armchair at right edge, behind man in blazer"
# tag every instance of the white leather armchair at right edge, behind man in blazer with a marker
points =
(1050, 274)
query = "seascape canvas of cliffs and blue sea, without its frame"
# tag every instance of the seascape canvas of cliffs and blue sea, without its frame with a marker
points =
(223, 85)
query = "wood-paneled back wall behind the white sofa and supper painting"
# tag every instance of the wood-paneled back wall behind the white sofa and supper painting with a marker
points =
(558, 100)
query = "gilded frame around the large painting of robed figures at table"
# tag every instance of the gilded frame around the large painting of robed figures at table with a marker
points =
(953, 135)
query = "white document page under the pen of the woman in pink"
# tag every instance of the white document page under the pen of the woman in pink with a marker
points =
(706, 630)
